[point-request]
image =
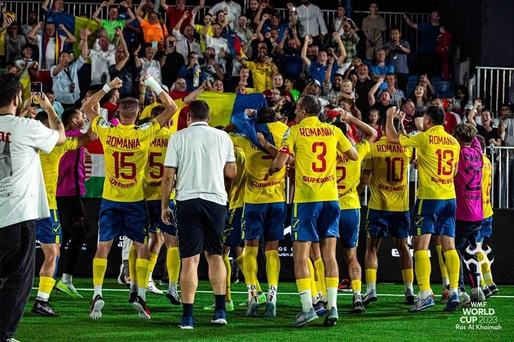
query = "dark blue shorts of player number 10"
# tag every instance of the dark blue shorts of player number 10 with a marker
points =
(382, 223)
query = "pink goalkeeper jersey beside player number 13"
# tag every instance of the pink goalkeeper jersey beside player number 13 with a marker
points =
(468, 183)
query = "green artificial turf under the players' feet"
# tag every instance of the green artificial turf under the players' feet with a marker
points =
(385, 320)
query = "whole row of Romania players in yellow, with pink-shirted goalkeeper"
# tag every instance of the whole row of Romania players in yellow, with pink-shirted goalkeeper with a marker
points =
(330, 165)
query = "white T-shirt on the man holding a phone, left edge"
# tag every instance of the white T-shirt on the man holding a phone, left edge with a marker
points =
(22, 187)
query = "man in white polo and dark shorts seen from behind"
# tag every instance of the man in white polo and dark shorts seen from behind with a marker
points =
(200, 157)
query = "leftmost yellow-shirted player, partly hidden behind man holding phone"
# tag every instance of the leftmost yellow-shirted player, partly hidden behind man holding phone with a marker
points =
(48, 231)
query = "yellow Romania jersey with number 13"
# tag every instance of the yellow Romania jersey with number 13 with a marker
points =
(438, 157)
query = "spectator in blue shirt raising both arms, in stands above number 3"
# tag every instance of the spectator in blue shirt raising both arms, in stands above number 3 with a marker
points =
(318, 68)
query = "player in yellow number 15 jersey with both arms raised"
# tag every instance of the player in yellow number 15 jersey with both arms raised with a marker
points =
(123, 210)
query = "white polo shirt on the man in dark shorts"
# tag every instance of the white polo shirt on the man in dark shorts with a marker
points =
(199, 153)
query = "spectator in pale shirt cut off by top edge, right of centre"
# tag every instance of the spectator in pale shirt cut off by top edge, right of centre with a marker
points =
(311, 20)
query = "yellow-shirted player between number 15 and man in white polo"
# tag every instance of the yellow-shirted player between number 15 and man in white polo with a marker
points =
(159, 232)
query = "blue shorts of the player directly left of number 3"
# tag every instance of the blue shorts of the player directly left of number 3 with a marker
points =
(264, 220)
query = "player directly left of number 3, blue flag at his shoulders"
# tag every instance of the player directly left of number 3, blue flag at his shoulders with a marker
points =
(264, 213)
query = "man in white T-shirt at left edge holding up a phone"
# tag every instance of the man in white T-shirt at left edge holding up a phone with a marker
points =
(22, 197)
